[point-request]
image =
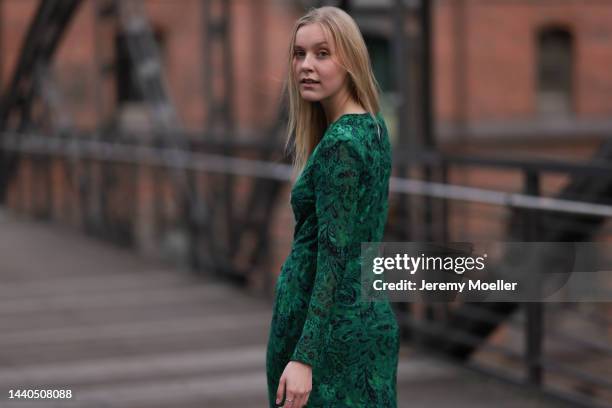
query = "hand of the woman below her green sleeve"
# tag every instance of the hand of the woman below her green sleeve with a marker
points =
(296, 382)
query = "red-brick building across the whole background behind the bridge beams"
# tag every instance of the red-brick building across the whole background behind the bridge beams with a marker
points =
(529, 74)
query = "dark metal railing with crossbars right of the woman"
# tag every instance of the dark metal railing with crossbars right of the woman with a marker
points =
(577, 221)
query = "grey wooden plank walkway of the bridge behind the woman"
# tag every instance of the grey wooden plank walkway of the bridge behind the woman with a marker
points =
(120, 331)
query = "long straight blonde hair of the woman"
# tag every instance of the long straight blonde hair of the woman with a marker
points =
(307, 119)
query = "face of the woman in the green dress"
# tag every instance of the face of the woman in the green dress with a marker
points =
(315, 59)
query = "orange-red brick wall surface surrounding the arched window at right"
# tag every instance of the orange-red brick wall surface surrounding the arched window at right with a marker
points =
(499, 38)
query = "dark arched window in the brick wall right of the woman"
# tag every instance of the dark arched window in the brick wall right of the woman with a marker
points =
(555, 71)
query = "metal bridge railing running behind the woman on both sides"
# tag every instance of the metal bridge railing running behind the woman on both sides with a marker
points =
(528, 203)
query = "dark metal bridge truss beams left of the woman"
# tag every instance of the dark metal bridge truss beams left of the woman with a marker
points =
(217, 233)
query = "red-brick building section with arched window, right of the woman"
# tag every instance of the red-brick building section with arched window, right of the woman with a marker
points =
(525, 68)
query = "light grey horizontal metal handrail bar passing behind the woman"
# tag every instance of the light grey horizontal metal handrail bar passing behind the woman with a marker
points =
(181, 159)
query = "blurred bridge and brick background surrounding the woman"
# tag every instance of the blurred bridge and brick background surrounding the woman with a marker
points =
(144, 192)
